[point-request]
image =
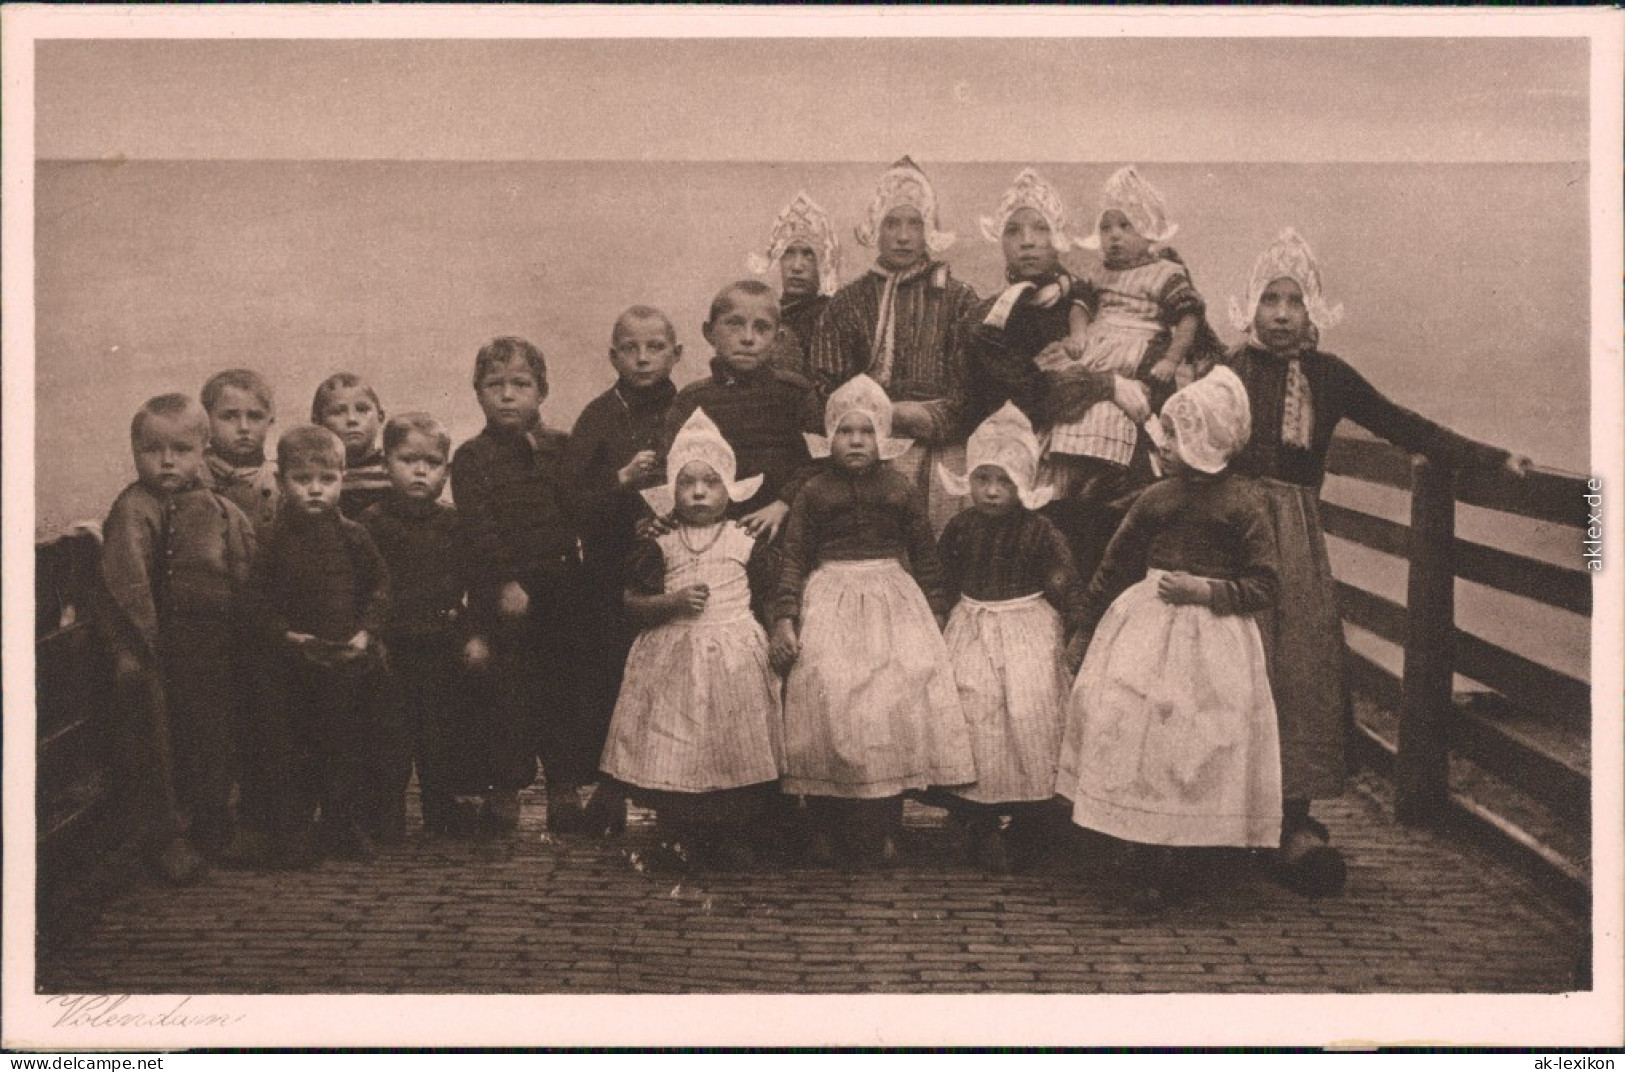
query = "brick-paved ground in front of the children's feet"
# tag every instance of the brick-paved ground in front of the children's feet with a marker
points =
(544, 915)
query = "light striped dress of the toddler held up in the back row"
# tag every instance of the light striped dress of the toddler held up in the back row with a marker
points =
(1132, 319)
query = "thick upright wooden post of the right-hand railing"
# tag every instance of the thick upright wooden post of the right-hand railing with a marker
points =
(1423, 764)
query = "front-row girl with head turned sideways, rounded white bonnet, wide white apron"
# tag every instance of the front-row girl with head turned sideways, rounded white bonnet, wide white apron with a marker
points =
(1171, 735)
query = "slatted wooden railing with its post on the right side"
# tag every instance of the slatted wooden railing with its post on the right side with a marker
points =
(1432, 727)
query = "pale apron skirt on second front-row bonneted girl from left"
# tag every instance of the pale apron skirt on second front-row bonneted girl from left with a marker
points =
(870, 706)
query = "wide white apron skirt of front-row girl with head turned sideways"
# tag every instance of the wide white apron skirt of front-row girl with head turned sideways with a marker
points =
(1171, 733)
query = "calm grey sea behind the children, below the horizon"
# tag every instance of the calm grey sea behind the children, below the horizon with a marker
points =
(1467, 285)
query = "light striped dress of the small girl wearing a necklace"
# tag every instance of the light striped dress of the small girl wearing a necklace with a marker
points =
(700, 704)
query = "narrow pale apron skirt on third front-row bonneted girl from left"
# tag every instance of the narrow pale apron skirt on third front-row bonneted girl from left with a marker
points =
(1010, 667)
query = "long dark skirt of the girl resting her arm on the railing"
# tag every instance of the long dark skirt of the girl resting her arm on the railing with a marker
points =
(1304, 639)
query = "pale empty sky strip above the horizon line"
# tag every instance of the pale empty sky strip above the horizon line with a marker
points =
(818, 100)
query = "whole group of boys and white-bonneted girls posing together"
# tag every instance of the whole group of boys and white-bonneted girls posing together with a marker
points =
(732, 605)
